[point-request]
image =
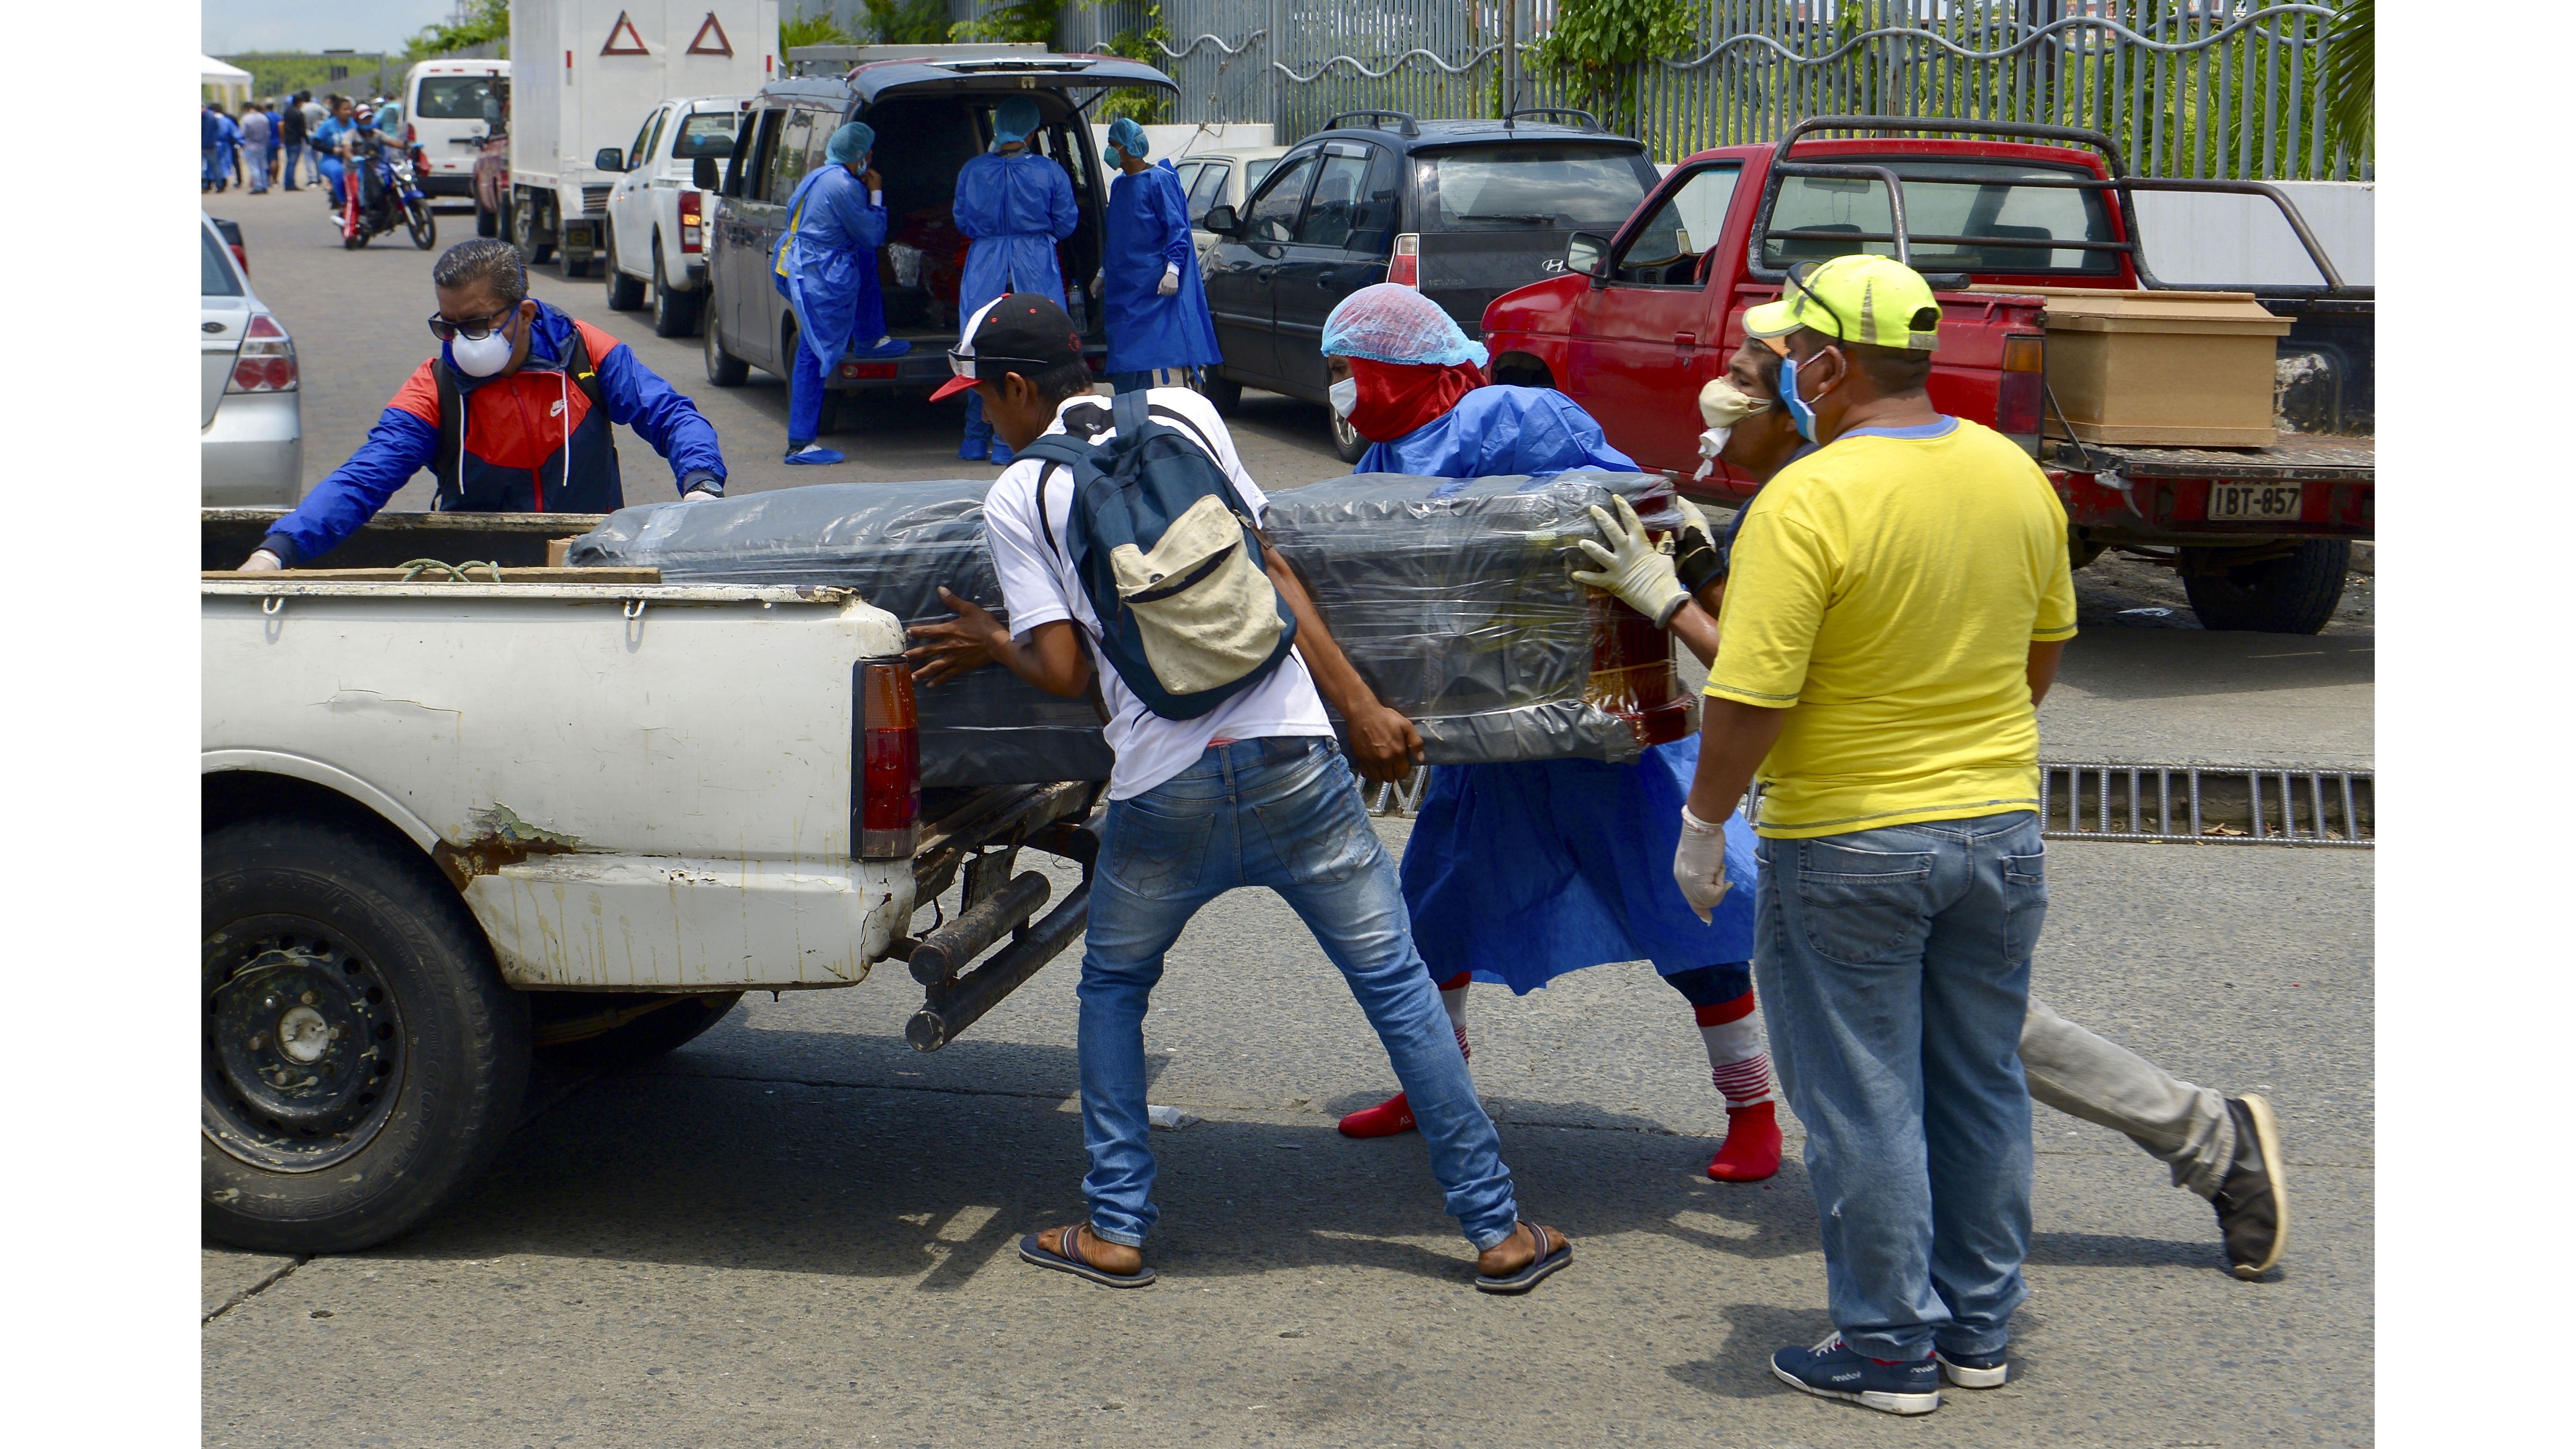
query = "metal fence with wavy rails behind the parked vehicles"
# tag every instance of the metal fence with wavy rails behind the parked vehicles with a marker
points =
(2199, 89)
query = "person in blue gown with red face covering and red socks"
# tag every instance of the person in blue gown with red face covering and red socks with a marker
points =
(1524, 873)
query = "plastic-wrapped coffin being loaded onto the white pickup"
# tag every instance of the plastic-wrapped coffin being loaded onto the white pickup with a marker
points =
(1452, 599)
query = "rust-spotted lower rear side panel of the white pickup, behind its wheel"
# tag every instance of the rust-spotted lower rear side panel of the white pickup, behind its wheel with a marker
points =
(581, 922)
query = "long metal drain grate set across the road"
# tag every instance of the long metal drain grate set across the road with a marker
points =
(2204, 806)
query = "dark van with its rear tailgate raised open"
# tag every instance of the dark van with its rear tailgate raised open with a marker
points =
(931, 117)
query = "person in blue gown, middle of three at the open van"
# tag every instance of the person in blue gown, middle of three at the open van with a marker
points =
(1014, 208)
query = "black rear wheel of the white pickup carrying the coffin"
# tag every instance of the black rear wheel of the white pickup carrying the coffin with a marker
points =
(362, 1058)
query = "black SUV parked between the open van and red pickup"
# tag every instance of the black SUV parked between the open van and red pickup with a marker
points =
(1464, 210)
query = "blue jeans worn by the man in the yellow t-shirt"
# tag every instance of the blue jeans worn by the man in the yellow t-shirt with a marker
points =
(1895, 973)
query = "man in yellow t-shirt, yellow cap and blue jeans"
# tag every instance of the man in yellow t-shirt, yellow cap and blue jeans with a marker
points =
(1895, 615)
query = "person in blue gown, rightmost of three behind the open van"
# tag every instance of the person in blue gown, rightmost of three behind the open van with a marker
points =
(1150, 293)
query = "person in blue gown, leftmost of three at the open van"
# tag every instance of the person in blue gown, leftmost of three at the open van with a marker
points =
(826, 269)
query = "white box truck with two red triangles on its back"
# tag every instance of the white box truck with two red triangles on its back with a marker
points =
(586, 73)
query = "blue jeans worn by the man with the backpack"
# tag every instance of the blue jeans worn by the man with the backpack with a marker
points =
(1282, 813)
